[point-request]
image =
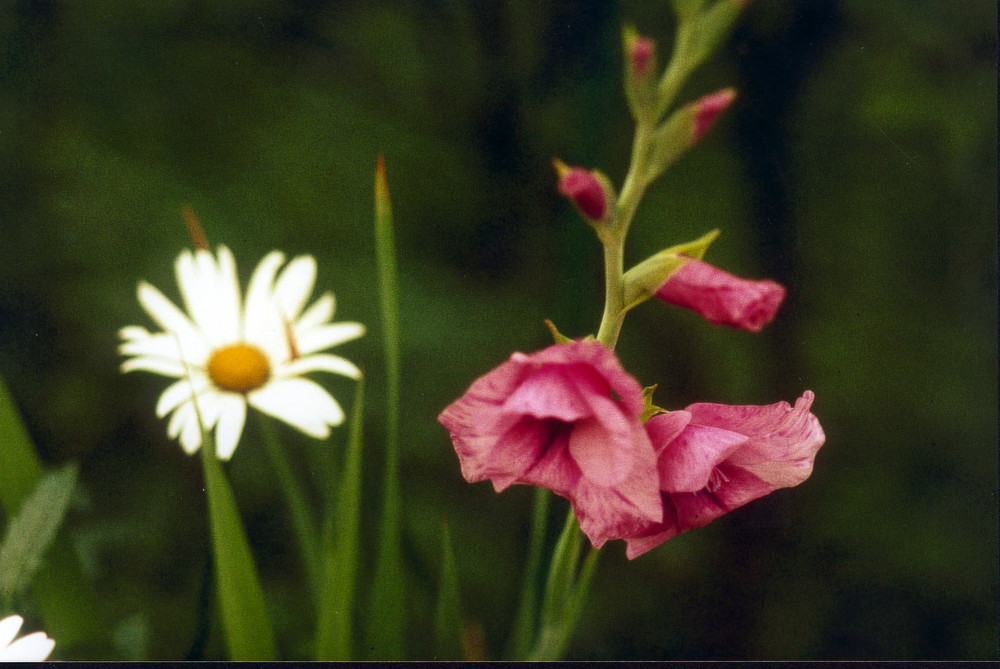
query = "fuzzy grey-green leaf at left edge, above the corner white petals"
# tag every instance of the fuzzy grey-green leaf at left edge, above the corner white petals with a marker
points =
(31, 531)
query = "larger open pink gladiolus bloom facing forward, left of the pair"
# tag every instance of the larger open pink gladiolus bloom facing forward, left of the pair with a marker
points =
(566, 418)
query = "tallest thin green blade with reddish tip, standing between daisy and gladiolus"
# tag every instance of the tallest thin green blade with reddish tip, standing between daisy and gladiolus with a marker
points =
(386, 615)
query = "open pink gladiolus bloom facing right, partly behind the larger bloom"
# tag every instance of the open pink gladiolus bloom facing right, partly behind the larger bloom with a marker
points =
(713, 458)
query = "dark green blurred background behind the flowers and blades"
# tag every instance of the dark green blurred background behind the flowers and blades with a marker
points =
(857, 167)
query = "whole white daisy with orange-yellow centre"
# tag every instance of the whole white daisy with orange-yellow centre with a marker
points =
(227, 355)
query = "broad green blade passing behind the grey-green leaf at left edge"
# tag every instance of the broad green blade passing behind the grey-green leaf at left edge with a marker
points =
(63, 594)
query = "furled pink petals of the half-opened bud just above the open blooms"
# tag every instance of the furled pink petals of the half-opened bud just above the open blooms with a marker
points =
(722, 298)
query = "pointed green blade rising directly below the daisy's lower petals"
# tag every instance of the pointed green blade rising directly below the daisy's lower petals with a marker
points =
(247, 628)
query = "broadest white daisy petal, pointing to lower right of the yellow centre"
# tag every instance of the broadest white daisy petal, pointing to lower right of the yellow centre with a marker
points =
(300, 403)
